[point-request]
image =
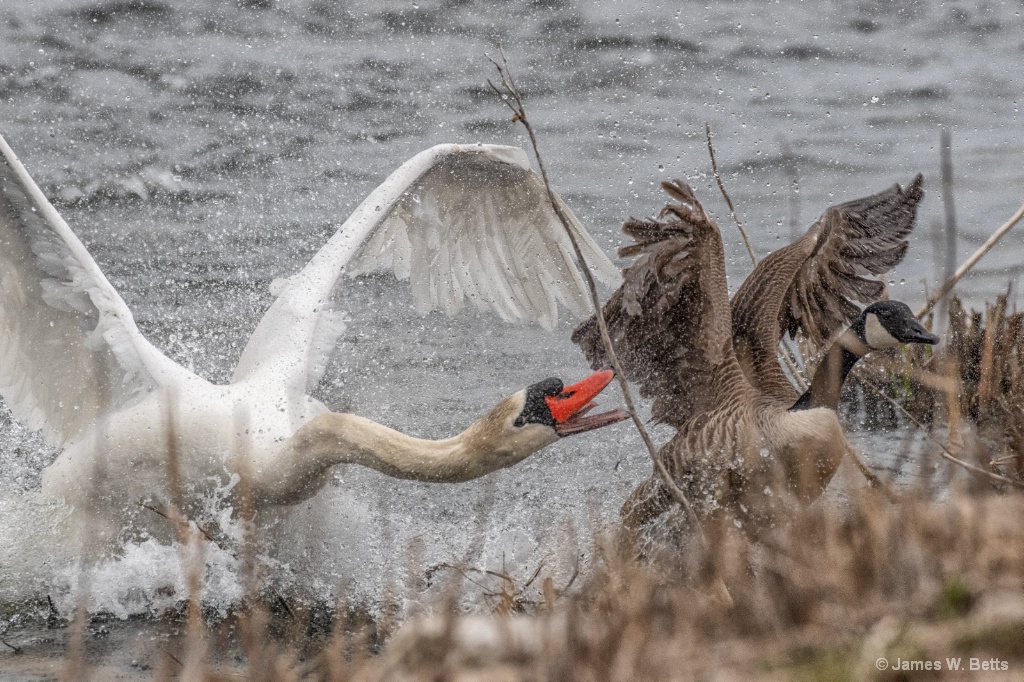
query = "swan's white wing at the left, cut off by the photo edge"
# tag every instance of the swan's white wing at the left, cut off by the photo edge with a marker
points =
(70, 351)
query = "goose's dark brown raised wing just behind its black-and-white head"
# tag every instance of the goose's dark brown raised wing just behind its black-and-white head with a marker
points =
(814, 285)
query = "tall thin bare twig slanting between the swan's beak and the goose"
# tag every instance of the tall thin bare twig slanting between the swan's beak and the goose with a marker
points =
(509, 95)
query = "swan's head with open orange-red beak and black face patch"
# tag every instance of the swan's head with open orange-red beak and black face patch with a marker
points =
(538, 416)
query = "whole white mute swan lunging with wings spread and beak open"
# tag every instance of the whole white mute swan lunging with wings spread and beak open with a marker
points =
(461, 223)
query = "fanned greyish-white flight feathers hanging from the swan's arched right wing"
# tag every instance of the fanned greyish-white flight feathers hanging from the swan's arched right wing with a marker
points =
(481, 227)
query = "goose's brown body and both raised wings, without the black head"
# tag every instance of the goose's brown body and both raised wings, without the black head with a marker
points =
(740, 446)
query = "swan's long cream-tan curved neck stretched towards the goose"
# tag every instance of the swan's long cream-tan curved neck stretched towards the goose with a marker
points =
(302, 467)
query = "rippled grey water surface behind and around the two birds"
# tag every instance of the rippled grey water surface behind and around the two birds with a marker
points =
(202, 149)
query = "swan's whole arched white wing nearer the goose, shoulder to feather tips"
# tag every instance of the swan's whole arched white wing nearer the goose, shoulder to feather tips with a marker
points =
(459, 223)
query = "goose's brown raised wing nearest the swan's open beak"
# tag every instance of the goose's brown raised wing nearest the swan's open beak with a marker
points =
(670, 322)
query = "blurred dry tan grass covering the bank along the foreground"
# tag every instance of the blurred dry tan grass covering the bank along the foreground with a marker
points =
(822, 599)
